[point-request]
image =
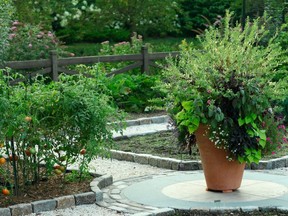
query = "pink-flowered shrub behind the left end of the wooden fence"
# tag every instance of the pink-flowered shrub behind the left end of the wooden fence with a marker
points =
(28, 42)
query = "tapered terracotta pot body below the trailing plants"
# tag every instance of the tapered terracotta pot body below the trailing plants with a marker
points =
(220, 174)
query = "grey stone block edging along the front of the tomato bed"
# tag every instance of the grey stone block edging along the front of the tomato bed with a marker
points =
(96, 195)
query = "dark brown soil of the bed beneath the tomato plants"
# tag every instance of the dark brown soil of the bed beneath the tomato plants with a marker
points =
(47, 189)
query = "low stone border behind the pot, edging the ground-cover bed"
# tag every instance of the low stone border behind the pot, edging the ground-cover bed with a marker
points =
(175, 164)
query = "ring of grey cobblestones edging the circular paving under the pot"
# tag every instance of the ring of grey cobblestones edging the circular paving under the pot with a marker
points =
(114, 200)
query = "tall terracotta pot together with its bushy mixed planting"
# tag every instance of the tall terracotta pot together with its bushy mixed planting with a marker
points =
(222, 93)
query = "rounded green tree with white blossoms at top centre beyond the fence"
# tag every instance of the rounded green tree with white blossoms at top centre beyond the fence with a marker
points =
(147, 17)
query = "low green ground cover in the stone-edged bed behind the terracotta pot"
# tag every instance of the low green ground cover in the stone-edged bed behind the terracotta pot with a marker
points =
(164, 144)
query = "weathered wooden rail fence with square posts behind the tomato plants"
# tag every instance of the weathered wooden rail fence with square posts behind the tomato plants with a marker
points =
(54, 66)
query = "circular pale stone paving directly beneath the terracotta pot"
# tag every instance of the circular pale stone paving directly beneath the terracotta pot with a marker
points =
(185, 190)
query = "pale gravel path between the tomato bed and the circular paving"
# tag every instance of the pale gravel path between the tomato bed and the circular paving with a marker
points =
(119, 170)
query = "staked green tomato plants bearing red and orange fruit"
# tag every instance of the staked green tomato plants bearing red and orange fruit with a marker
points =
(55, 125)
